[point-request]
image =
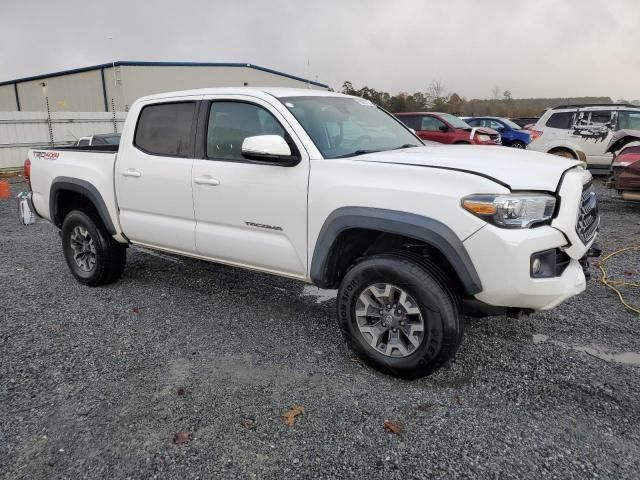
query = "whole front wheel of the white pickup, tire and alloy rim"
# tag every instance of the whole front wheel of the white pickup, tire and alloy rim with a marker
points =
(427, 292)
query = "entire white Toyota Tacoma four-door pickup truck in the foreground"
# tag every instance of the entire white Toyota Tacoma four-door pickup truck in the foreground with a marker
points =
(331, 190)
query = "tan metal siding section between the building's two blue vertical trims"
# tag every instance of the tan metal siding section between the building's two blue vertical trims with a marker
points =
(78, 92)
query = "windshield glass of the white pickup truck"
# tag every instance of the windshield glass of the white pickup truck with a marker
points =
(347, 126)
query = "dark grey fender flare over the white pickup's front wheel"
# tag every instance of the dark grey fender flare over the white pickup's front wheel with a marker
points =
(325, 273)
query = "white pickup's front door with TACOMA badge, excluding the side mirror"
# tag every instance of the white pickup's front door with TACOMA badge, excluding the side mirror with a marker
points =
(250, 213)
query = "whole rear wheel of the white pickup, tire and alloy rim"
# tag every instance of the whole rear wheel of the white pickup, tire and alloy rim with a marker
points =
(92, 255)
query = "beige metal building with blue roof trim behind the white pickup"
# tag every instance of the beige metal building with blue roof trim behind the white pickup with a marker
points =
(115, 86)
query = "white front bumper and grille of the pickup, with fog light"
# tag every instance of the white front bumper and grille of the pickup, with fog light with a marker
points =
(503, 257)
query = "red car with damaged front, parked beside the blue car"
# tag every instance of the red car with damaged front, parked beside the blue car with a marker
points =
(447, 128)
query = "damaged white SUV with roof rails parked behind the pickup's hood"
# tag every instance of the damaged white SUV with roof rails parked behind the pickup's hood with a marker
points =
(583, 131)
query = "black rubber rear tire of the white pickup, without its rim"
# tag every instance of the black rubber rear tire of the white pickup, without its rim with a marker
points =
(110, 256)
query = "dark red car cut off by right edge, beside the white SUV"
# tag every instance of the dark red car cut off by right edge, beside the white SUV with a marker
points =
(625, 167)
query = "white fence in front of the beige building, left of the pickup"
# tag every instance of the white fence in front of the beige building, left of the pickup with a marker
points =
(20, 131)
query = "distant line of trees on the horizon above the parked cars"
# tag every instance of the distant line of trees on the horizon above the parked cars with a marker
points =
(437, 99)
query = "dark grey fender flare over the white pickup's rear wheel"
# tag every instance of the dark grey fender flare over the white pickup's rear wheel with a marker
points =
(82, 193)
